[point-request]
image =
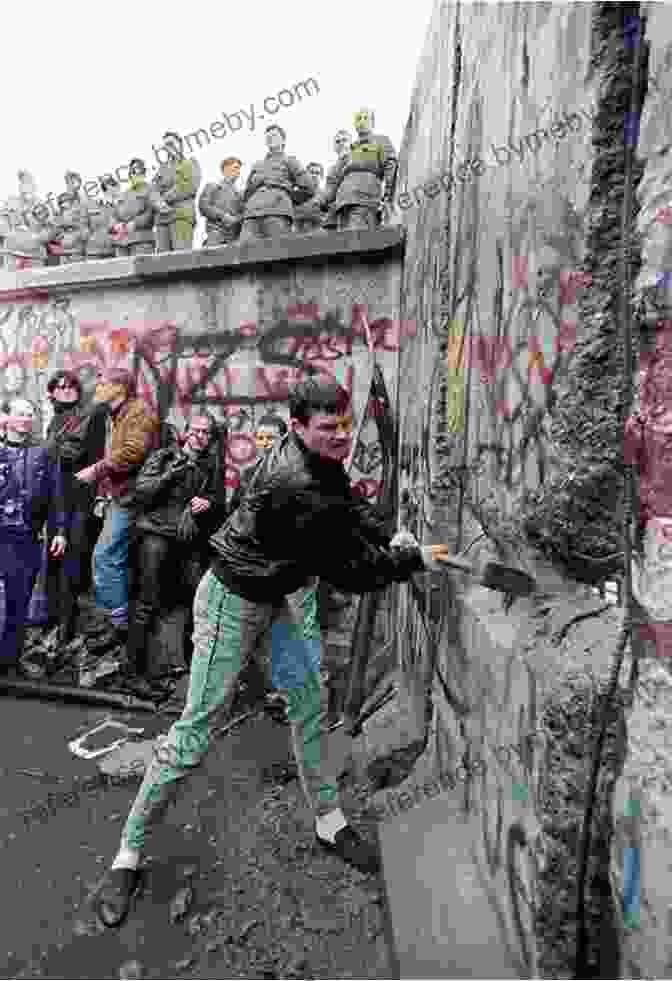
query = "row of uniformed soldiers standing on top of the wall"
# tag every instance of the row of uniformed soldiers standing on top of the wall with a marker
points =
(160, 215)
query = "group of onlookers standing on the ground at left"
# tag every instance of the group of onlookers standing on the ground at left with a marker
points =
(128, 506)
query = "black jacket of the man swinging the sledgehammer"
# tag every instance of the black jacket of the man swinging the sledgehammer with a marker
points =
(299, 519)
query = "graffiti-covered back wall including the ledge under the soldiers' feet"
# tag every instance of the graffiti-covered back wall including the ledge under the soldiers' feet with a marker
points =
(228, 329)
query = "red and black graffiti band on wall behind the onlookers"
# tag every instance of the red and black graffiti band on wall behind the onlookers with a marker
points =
(237, 375)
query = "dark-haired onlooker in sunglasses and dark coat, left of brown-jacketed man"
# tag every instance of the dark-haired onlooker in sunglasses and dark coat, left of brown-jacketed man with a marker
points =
(75, 439)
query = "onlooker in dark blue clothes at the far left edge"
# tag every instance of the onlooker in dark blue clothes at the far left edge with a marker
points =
(31, 494)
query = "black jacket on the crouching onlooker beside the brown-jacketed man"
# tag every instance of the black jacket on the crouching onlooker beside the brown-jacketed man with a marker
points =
(166, 484)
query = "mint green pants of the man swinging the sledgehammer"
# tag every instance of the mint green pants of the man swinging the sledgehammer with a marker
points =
(228, 630)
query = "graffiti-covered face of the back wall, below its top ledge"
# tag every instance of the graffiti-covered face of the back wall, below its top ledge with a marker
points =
(232, 348)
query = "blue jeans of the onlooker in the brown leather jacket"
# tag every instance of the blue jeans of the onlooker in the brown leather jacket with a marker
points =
(110, 564)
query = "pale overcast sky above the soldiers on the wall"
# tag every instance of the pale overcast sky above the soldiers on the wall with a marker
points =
(89, 86)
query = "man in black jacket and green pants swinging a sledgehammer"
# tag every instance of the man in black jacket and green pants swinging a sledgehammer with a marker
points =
(301, 520)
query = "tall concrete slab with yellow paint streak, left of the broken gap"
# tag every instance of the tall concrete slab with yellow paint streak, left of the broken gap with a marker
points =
(496, 163)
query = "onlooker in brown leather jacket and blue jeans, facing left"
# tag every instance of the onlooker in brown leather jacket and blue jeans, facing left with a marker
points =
(133, 432)
